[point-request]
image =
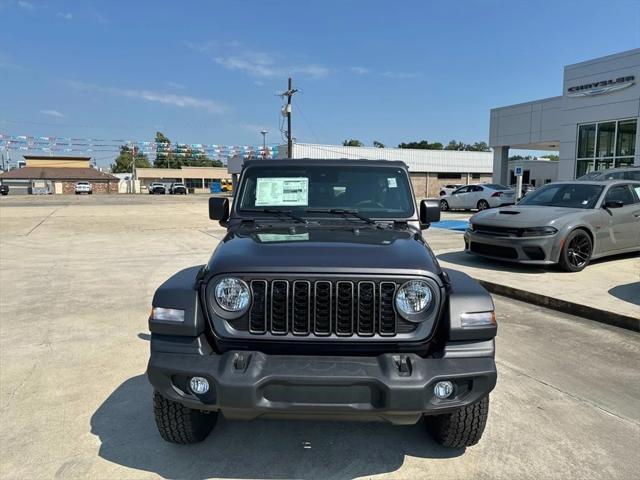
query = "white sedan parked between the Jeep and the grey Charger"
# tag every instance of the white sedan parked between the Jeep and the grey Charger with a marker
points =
(481, 197)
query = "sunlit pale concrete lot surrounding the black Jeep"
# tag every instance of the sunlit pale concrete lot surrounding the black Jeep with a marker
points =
(77, 275)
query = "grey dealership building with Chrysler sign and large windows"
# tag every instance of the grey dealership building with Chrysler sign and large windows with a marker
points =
(593, 124)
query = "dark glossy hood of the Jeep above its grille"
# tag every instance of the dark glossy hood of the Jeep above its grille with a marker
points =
(323, 249)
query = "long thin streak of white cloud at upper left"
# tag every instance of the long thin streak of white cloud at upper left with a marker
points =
(156, 97)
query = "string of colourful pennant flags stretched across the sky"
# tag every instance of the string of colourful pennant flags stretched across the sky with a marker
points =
(51, 144)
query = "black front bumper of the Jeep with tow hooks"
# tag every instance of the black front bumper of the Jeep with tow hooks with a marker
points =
(393, 387)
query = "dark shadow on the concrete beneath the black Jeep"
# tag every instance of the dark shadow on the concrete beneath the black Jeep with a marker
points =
(255, 449)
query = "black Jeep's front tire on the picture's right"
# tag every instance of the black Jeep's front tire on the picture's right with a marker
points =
(462, 428)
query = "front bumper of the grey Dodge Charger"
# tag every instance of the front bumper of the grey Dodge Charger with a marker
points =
(529, 250)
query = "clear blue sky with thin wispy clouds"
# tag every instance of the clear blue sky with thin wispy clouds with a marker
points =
(208, 71)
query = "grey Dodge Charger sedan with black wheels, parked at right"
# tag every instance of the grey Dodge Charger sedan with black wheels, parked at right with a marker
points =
(568, 223)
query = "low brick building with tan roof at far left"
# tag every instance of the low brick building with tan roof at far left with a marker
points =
(57, 174)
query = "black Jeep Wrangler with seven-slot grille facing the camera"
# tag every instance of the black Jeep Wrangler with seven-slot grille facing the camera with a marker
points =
(323, 300)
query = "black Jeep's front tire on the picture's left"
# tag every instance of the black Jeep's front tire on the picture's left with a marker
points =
(179, 424)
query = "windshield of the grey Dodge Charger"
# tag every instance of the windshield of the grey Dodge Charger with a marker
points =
(569, 195)
